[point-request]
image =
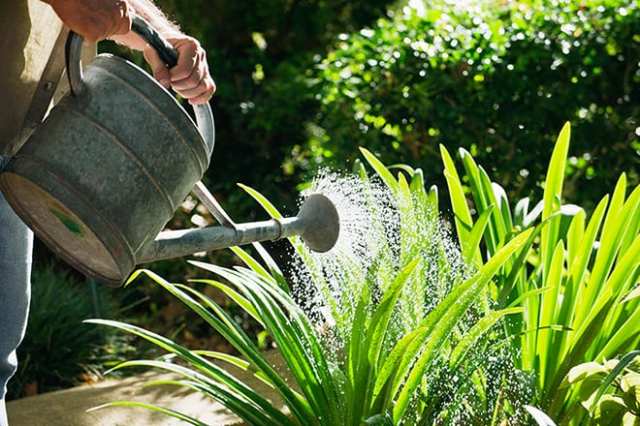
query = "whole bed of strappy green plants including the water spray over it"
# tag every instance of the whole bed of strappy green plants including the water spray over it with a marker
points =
(400, 325)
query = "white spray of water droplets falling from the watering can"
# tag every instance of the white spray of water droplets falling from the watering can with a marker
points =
(378, 235)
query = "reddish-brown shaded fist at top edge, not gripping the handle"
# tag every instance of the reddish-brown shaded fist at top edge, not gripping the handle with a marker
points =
(94, 20)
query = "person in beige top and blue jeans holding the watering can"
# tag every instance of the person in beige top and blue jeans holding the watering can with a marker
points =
(32, 32)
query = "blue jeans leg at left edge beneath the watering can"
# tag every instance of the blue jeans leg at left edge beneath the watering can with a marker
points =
(16, 245)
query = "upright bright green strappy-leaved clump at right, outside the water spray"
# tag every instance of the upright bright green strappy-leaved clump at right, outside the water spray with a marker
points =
(575, 277)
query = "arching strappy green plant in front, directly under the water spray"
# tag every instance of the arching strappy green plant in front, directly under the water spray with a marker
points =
(385, 365)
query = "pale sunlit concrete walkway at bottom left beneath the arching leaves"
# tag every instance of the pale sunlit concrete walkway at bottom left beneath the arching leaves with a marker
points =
(69, 407)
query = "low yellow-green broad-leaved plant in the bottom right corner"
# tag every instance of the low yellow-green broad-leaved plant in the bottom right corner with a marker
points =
(609, 392)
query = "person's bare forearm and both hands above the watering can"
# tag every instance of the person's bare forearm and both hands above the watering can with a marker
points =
(96, 20)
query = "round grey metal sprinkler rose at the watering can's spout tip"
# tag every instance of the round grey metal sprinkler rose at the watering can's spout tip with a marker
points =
(321, 223)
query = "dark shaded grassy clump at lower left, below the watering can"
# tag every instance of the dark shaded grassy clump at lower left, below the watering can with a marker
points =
(58, 350)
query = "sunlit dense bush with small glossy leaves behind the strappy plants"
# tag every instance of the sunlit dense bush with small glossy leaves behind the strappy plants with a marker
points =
(495, 78)
